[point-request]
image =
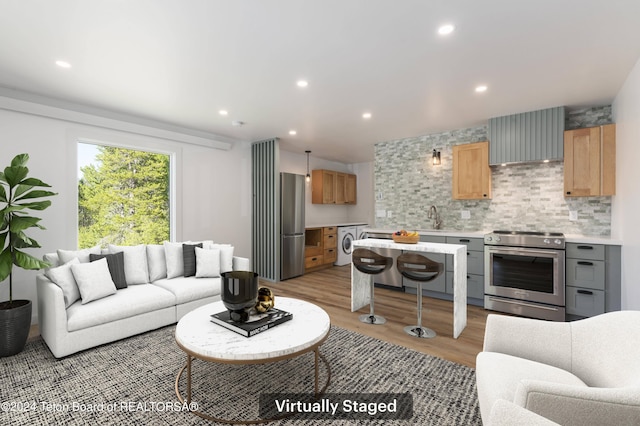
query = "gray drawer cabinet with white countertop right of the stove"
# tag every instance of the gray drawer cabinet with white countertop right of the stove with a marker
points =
(592, 279)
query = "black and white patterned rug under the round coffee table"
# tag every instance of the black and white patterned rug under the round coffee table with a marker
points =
(131, 382)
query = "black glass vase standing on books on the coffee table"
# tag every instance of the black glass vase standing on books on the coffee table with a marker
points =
(239, 293)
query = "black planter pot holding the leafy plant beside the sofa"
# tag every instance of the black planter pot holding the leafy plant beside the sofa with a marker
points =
(15, 323)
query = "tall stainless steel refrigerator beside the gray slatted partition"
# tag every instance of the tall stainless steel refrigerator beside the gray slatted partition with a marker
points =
(292, 197)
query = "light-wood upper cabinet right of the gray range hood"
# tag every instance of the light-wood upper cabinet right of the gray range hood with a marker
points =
(590, 161)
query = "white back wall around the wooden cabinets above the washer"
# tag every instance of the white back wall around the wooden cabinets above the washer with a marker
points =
(326, 214)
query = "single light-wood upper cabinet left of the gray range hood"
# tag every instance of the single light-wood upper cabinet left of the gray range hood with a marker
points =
(471, 172)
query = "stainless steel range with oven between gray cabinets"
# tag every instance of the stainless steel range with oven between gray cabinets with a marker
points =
(524, 273)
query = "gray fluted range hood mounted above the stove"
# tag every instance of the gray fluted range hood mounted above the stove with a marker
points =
(527, 137)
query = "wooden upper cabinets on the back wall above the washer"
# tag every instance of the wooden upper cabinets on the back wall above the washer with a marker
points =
(331, 187)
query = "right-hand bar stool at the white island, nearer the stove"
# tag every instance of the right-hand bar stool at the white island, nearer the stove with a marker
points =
(421, 269)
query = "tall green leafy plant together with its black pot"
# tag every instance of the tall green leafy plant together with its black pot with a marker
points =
(18, 194)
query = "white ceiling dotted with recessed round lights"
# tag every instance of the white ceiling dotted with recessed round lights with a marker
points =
(181, 61)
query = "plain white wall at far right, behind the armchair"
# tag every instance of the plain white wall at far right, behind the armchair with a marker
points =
(626, 203)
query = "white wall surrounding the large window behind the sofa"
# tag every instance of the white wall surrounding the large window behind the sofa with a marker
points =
(213, 186)
